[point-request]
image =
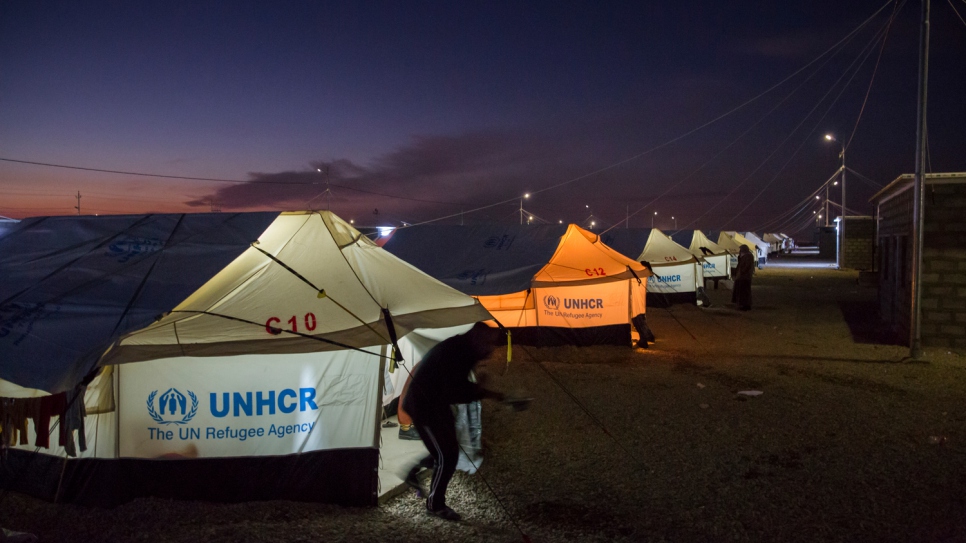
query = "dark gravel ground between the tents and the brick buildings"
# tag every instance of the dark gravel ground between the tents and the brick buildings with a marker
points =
(849, 441)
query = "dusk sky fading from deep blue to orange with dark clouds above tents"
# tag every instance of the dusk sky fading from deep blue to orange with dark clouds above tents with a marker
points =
(421, 110)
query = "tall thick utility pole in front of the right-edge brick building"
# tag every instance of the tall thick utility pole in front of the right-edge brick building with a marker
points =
(918, 206)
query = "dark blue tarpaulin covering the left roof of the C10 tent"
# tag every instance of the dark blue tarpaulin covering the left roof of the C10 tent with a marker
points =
(72, 285)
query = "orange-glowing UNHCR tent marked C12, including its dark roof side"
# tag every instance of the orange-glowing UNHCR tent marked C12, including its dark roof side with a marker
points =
(549, 284)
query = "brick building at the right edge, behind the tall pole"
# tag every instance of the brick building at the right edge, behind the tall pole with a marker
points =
(944, 258)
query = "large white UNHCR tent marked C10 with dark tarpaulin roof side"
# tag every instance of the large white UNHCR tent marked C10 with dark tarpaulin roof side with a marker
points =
(222, 357)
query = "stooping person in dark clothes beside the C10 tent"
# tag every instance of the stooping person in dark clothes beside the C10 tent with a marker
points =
(440, 381)
